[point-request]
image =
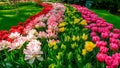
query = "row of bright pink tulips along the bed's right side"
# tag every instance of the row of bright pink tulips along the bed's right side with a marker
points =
(104, 35)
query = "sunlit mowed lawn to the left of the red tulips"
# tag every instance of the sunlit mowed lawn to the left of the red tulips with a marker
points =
(10, 18)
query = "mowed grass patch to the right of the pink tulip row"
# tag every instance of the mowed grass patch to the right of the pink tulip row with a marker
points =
(108, 17)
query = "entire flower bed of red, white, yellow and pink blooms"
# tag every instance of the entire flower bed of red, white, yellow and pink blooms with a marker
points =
(61, 36)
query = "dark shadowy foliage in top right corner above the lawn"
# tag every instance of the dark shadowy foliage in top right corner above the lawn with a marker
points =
(111, 5)
